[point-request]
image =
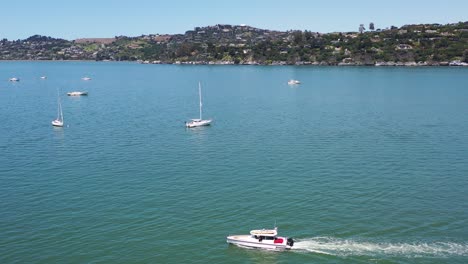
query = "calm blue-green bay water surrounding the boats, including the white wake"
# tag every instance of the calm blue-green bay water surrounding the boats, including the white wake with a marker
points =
(359, 165)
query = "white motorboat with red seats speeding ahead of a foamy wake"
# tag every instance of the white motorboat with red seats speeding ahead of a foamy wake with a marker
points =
(263, 239)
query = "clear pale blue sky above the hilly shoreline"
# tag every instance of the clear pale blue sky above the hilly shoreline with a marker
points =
(105, 18)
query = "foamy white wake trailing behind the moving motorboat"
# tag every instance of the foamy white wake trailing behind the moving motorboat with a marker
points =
(344, 247)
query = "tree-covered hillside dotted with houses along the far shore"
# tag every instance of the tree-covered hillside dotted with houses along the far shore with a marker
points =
(428, 44)
